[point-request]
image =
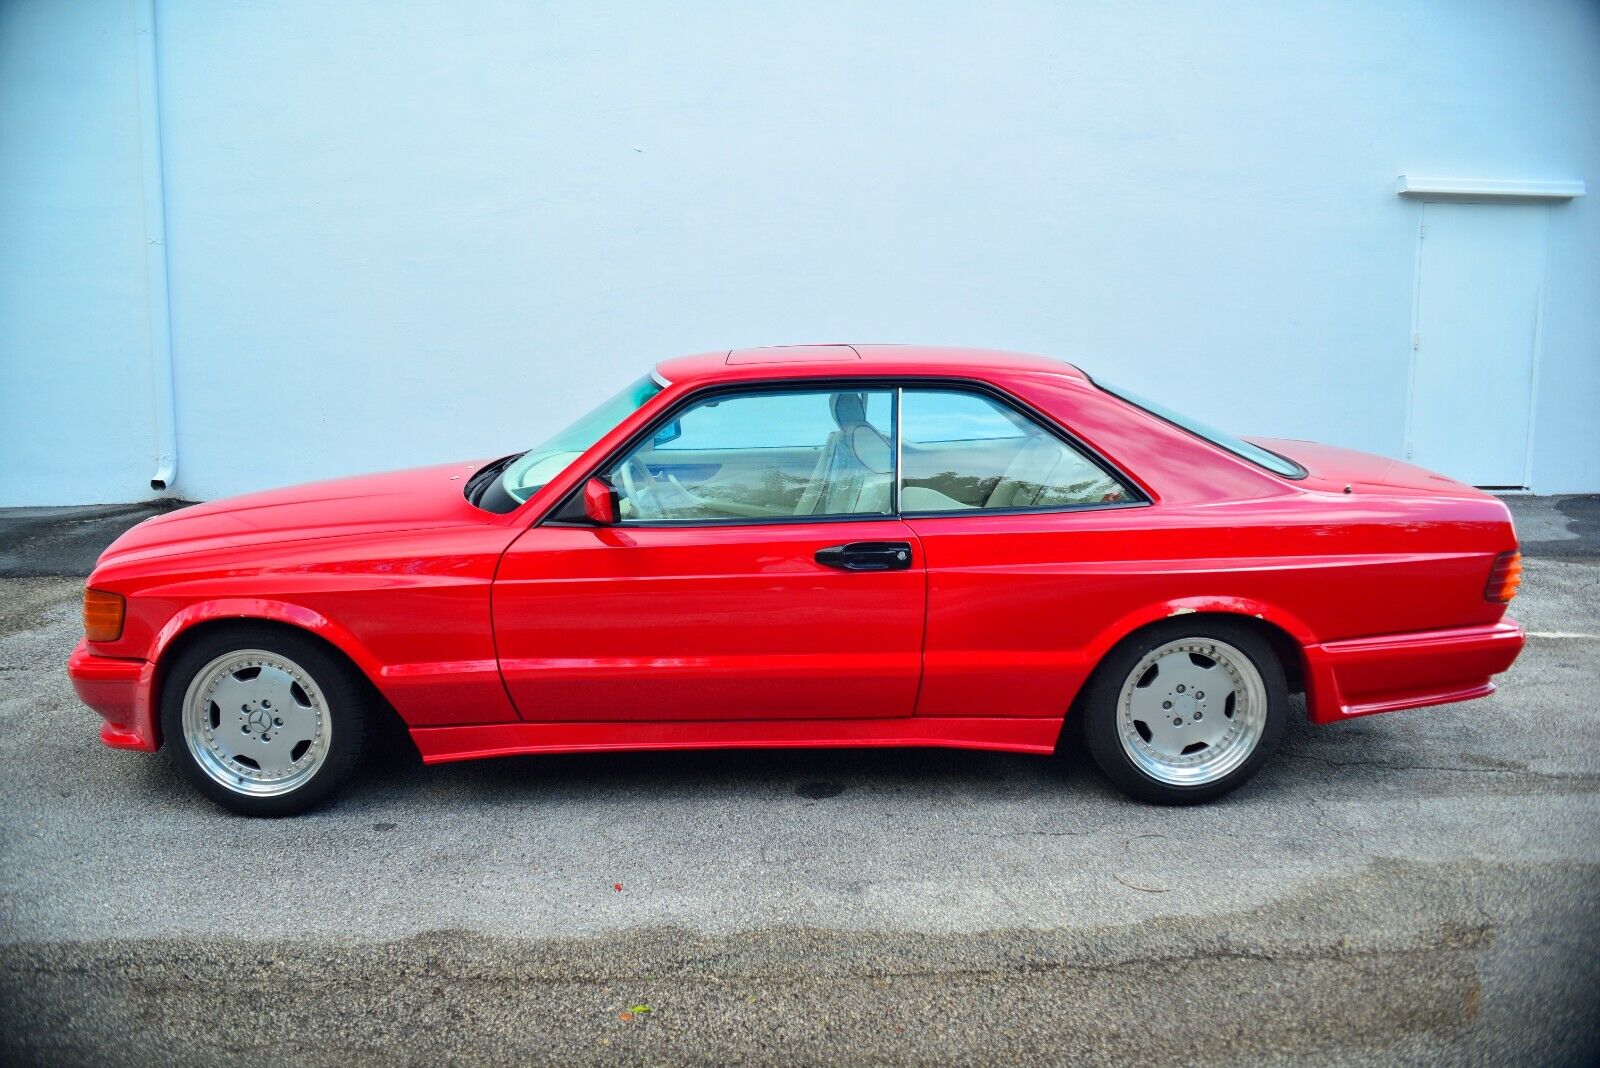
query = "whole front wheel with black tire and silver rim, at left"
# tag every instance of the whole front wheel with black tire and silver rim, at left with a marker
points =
(263, 722)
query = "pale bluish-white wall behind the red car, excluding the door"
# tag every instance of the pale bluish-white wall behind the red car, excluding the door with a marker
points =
(417, 233)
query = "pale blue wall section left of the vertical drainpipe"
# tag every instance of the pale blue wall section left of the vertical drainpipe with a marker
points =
(74, 343)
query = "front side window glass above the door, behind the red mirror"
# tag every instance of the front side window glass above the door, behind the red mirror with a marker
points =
(766, 455)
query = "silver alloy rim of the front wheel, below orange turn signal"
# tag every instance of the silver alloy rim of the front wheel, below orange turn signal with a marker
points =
(257, 723)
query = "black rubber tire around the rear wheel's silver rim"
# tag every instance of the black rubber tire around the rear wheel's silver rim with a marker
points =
(1105, 690)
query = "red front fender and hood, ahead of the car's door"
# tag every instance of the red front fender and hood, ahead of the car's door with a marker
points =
(407, 600)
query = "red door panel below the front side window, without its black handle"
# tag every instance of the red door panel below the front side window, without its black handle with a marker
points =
(714, 623)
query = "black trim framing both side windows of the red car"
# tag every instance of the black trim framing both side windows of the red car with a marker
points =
(1137, 496)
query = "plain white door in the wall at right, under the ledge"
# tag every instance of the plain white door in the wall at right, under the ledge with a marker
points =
(1476, 338)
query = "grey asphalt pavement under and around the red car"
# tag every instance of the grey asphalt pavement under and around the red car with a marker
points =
(1420, 887)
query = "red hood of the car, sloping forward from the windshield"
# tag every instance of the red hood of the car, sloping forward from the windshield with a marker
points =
(366, 504)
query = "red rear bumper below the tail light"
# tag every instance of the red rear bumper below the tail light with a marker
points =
(1431, 667)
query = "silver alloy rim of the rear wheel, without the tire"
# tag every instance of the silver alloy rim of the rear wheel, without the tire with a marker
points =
(1191, 712)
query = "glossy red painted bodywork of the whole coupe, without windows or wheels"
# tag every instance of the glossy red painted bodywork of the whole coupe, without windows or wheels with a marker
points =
(497, 634)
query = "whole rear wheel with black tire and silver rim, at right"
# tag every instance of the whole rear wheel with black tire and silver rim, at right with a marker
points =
(1186, 712)
